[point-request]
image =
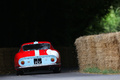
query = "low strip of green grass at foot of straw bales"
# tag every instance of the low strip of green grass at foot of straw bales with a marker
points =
(97, 70)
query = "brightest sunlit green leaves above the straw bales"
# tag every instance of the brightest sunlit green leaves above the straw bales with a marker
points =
(111, 21)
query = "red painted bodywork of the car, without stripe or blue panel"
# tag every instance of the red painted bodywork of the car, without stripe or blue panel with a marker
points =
(22, 53)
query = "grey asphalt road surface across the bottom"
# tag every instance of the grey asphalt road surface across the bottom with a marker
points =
(64, 75)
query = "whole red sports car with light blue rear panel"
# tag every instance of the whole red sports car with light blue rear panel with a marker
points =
(37, 55)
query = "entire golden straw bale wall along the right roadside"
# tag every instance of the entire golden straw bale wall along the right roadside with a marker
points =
(102, 51)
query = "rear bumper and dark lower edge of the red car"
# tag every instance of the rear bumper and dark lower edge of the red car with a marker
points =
(40, 67)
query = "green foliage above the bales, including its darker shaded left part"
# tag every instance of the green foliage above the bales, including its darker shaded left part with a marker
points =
(108, 23)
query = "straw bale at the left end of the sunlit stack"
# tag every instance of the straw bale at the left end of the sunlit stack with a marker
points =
(86, 50)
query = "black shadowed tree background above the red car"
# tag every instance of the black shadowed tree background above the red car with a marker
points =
(57, 21)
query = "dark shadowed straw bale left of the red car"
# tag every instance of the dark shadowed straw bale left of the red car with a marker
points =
(7, 60)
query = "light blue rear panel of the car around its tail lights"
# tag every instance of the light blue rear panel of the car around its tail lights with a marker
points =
(45, 60)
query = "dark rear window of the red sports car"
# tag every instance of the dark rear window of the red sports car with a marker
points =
(36, 46)
